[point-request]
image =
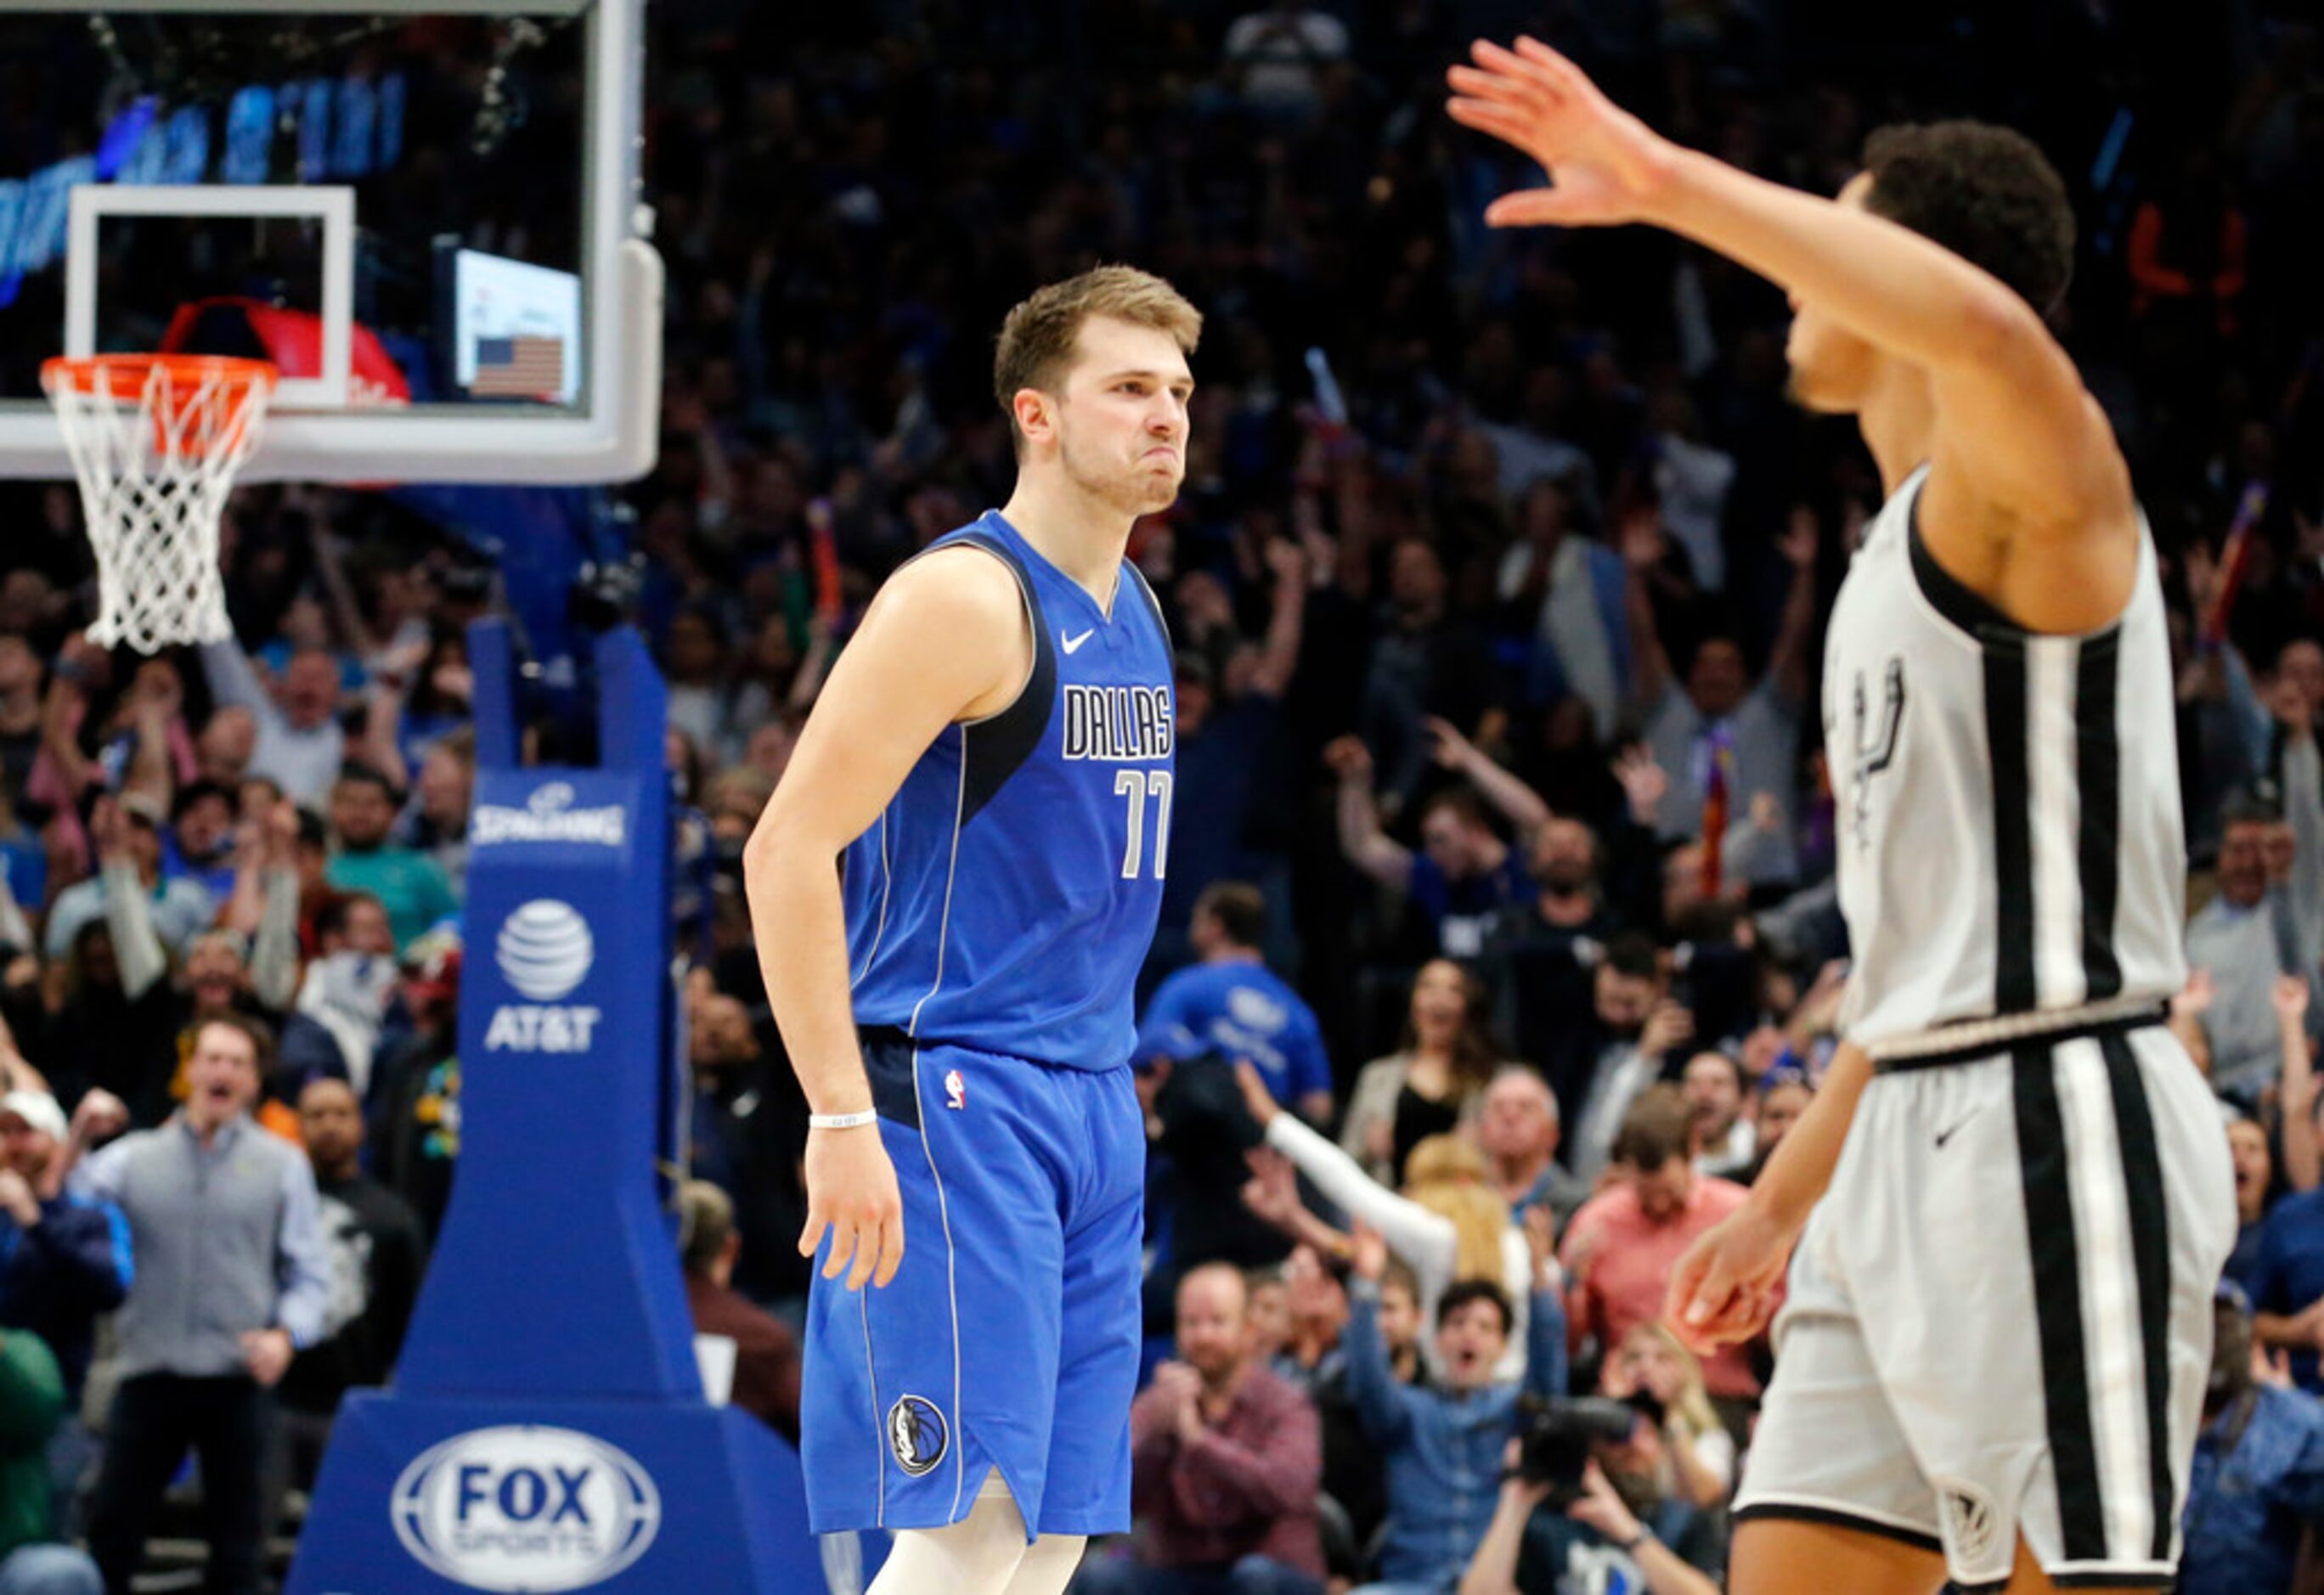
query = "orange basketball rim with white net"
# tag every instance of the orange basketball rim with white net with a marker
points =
(157, 441)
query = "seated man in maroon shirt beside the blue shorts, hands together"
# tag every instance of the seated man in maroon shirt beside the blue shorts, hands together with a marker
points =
(1226, 1464)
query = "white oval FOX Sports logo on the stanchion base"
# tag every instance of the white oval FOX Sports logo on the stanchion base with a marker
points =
(526, 1510)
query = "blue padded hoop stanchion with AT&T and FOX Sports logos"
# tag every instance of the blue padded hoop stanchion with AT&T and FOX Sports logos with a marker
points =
(547, 1426)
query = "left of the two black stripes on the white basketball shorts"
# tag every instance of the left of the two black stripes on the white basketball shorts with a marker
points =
(2058, 1303)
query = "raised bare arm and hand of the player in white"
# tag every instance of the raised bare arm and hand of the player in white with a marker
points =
(2023, 457)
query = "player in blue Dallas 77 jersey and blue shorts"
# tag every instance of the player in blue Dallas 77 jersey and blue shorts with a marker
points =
(991, 771)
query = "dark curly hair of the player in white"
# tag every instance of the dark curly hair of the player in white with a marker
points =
(1986, 194)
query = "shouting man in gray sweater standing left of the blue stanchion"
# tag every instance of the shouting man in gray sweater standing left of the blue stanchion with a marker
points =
(231, 1280)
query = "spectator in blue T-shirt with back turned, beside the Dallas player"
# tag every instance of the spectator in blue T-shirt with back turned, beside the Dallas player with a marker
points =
(1235, 1008)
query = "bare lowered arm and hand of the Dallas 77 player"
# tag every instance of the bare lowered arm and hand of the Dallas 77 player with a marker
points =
(945, 641)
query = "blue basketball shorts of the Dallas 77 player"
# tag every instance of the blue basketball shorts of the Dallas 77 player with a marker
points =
(1010, 1336)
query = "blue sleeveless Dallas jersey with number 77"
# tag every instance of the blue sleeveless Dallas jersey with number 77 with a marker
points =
(1010, 892)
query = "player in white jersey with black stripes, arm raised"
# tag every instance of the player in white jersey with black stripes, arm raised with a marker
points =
(2011, 1199)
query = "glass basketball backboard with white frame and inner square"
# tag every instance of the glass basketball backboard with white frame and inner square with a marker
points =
(424, 215)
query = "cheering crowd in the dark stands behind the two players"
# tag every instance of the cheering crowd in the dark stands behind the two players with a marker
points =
(1500, 940)
